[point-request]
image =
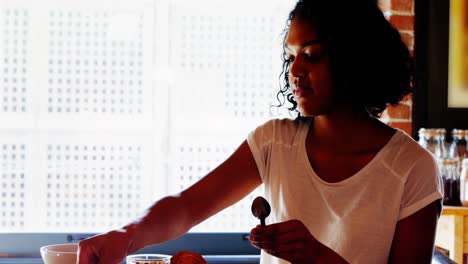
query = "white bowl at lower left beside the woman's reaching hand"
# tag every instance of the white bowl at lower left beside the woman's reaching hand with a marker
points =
(59, 253)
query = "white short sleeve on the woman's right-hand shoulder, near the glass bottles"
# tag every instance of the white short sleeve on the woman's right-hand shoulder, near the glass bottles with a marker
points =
(422, 186)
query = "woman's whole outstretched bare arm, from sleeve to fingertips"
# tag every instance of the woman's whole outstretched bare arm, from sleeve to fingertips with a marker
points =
(174, 215)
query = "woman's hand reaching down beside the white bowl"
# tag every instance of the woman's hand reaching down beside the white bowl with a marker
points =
(108, 248)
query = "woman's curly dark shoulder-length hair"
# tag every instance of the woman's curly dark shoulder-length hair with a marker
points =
(371, 65)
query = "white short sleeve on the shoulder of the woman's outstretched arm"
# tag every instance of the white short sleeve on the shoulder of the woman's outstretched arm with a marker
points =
(260, 143)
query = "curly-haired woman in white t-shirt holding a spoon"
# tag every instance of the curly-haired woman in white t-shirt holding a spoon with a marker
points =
(343, 186)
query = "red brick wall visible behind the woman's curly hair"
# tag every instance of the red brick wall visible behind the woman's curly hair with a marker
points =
(401, 14)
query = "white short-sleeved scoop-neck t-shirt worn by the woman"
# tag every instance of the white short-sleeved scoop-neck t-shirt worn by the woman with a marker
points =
(357, 216)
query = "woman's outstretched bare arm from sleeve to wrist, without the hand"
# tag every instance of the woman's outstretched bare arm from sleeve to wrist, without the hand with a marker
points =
(173, 216)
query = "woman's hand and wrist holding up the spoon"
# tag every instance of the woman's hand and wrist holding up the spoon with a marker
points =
(292, 241)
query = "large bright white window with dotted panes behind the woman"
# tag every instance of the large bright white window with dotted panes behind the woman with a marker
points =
(106, 106)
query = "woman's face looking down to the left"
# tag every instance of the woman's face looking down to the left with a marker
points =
(309, 69)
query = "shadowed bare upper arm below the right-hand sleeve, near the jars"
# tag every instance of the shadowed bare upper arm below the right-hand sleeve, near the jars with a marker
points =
(414, 237)
